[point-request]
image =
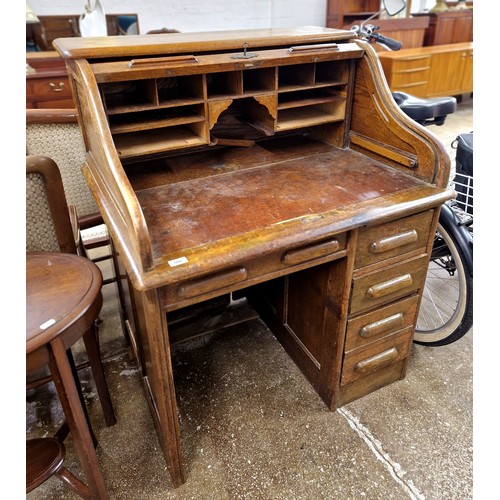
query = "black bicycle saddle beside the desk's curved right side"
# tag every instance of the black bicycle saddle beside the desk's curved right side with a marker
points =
(432, 111)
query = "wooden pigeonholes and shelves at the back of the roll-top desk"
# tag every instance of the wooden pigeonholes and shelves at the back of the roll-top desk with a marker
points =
(157, 114)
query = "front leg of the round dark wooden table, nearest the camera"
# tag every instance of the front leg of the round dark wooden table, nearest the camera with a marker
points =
(70, 401)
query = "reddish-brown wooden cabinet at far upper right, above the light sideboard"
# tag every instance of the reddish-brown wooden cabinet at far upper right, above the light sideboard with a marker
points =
(451, 26)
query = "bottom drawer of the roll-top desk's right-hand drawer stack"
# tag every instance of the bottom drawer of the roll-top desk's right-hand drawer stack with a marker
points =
(367, 361)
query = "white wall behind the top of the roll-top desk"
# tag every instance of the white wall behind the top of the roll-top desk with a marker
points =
(201, 15)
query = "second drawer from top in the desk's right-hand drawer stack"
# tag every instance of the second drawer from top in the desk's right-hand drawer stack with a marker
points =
(388, 284)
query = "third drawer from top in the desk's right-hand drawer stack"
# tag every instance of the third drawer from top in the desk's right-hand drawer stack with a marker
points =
(376, 325)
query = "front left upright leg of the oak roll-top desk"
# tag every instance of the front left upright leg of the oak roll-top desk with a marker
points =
(161, 384)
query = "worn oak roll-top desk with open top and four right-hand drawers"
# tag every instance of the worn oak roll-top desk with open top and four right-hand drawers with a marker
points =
(270, 163)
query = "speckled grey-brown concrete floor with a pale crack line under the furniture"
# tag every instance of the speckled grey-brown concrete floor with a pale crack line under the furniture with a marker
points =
(253, 427)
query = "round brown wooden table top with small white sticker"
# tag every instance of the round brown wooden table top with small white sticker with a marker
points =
(60, 289)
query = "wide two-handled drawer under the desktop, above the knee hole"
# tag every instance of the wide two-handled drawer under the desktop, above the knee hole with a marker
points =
(255, 271)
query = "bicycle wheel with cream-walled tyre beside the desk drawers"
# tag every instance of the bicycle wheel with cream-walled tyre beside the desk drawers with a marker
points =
(446, 308)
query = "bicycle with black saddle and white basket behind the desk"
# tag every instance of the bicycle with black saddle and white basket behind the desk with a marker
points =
(446, 310)
